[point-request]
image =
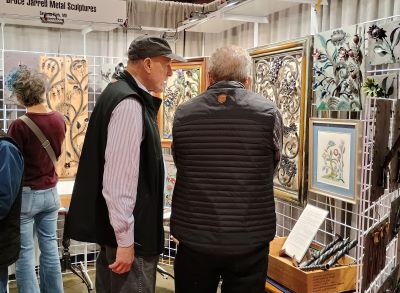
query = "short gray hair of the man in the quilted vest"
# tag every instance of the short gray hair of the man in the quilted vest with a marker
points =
(230, 63)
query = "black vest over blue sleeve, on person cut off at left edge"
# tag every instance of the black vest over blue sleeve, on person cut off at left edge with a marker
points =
(10, 226)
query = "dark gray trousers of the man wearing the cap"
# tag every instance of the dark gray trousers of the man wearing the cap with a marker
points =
(140, 279)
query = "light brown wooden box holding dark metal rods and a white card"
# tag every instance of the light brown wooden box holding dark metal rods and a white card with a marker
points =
(334, 280)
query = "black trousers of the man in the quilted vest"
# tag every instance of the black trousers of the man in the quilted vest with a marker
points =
(197, 272)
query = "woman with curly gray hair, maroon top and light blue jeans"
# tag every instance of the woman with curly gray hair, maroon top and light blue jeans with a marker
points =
(40, 200)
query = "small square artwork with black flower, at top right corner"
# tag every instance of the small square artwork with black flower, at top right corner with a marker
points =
(383, 43)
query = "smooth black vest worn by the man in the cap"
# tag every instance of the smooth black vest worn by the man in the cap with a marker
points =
(88, 218)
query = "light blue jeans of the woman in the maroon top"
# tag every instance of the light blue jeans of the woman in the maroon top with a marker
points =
(40, 210)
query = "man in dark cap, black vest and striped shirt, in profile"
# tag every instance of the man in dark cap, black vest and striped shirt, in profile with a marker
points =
(117, 199)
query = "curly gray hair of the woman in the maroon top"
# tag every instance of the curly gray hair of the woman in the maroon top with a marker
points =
(29, 86)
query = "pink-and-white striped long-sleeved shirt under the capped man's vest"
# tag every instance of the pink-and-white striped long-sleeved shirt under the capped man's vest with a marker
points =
(121, 169)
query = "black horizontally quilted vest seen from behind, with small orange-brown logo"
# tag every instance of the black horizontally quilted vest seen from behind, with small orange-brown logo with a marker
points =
(223, 200)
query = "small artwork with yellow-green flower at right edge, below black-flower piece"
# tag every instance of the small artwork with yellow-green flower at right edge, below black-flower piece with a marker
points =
(381, 86)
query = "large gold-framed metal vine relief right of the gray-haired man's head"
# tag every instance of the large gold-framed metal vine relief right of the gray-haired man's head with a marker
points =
(281, 74)
